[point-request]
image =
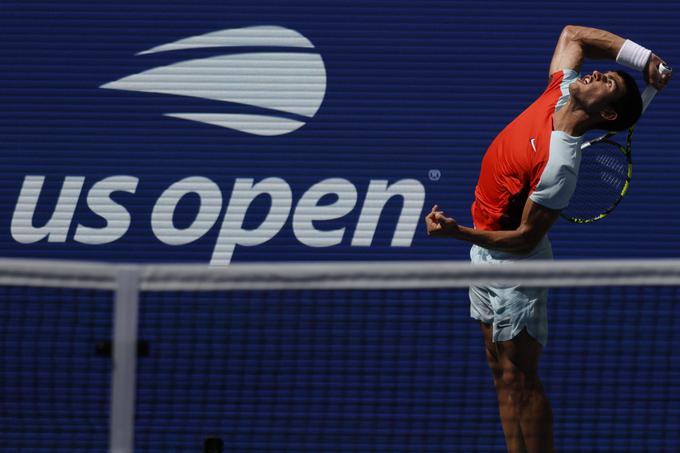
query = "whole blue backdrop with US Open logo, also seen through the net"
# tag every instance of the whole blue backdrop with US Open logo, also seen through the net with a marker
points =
(412, 94)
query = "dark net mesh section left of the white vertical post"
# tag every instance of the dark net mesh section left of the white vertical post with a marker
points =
(53, 384)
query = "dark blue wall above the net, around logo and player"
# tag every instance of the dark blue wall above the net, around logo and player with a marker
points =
(410, 87)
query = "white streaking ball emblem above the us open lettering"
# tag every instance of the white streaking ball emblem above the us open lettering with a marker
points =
(289, 87)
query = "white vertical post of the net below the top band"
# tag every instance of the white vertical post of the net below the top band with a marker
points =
(123, 380)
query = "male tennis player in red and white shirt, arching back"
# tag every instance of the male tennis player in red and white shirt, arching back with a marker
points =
(527, 177)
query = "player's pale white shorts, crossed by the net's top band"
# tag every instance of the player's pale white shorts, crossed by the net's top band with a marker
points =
(511, 308)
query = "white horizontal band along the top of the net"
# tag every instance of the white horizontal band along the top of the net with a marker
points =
(341, 275)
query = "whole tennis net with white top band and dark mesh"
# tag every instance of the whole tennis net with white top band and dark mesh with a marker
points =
(325, 356)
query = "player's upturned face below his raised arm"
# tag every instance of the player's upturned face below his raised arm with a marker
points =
(598, 90)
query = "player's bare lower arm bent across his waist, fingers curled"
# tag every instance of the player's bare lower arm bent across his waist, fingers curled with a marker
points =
(536, 221)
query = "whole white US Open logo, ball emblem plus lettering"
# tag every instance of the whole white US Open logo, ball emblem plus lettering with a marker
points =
(269, 92)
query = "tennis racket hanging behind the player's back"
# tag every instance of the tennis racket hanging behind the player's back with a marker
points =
(605, 172)
